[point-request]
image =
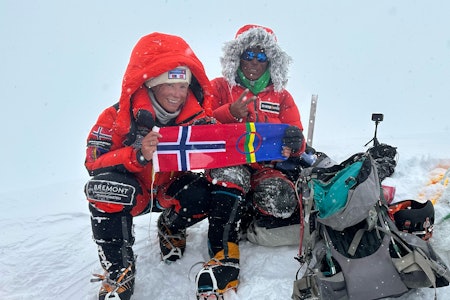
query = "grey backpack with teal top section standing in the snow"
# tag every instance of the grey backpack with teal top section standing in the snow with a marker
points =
(350, 248)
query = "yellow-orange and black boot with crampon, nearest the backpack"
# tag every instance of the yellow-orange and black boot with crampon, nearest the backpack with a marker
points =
(219, 274)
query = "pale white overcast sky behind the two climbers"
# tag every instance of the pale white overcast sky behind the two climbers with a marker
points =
(63, 62)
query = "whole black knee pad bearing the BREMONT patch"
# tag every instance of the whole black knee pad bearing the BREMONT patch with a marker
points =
(113, 187)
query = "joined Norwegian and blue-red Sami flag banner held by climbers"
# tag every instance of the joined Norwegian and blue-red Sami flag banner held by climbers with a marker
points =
(184, 148)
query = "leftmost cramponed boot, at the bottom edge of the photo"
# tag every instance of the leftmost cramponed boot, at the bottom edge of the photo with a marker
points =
(116, 285)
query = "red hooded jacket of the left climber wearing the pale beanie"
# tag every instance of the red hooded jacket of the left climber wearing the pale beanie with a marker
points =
(110, 141)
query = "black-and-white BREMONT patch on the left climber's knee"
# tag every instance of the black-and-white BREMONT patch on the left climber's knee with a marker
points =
(110, 192)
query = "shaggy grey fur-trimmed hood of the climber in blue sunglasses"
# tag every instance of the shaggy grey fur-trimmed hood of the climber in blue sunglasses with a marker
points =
(250, 36)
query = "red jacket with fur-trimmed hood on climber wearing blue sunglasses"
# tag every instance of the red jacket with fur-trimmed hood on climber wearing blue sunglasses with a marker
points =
(274, 104)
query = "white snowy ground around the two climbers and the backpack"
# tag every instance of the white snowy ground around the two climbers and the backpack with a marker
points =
(47, 251)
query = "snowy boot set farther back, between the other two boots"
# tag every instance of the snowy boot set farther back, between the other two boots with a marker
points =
(172, 242)
